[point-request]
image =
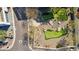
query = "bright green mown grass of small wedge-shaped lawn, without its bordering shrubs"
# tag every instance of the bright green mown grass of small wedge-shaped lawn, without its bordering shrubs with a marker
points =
(53, 34)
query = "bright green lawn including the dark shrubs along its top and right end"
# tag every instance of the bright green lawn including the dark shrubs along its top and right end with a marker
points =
(49, 34)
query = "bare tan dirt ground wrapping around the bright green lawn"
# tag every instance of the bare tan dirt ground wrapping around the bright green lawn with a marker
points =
(39, 38)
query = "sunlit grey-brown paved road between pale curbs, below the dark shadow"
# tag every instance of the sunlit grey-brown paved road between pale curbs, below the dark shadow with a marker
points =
(21, 43)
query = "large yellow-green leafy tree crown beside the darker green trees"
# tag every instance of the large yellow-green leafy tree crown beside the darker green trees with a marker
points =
(60, 14)
